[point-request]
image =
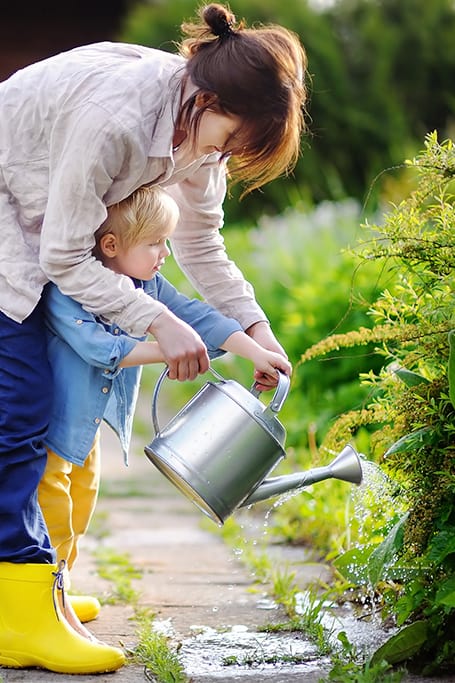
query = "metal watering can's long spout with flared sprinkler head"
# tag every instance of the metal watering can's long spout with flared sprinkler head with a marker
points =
(346, 467)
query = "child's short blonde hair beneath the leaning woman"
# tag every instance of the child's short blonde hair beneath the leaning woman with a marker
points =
(148, 213)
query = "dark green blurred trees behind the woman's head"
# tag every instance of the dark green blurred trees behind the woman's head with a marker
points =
(382, 76)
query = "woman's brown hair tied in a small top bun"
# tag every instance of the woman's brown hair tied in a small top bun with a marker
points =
(257, 74)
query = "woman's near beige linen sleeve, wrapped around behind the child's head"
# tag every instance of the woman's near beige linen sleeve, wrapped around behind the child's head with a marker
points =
(78, 184)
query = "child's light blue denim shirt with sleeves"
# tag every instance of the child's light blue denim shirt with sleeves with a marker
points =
(85, 353)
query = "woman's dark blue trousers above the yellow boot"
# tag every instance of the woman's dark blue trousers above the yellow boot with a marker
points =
(25, 403)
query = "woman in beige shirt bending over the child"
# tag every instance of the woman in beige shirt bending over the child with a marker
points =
(80, 132)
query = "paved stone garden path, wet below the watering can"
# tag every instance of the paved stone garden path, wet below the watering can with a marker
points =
(200, 594)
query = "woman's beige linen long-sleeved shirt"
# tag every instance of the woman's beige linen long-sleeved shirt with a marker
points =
(79, 132)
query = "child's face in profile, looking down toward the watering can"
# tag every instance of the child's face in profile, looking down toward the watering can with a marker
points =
(141, 261)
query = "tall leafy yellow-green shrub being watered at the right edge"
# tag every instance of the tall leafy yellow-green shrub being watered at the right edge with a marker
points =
(413, 410)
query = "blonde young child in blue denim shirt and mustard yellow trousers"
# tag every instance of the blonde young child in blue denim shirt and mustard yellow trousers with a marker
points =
(96, 366)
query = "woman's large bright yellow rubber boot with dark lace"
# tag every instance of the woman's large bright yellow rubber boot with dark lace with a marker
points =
(34, 631)
